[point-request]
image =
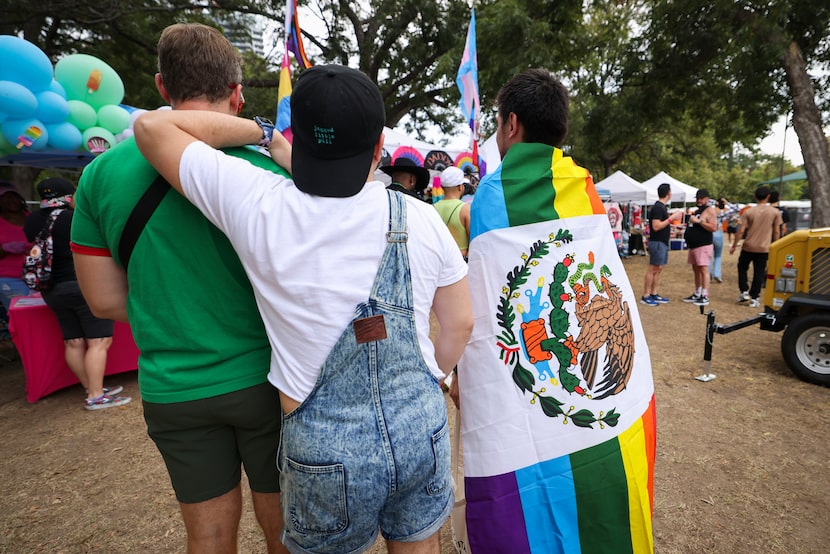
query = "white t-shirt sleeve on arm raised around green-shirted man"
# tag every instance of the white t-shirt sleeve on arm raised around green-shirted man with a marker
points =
(223, 187)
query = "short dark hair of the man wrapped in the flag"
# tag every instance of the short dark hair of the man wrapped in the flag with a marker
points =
(540, 102)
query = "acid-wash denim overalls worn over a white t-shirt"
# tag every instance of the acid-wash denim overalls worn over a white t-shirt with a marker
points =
(370, 445)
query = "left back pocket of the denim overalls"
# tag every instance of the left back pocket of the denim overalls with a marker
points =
(316, 497)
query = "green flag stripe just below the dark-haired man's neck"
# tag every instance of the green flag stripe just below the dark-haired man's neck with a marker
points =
(527, 182)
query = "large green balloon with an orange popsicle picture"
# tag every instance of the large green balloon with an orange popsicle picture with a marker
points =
(89, 79)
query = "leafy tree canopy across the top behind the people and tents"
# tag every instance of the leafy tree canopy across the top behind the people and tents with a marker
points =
(686, 87)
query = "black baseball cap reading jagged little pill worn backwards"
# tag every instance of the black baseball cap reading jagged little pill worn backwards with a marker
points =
(337, 117)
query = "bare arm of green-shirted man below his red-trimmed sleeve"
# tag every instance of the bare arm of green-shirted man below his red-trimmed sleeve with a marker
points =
(103, 284)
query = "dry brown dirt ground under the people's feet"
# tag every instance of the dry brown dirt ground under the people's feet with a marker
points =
(742, 461)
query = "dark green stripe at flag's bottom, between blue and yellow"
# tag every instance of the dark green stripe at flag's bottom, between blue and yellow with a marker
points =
(600, 482)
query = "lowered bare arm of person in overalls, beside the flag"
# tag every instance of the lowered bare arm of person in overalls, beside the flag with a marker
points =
(453, 308)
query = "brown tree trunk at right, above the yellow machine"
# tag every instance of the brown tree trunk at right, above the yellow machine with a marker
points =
(808, 128)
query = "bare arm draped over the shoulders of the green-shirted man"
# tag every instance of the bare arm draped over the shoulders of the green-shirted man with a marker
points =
(162, 137)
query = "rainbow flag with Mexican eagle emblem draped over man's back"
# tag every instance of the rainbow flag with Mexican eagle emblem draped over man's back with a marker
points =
(558, 414)
